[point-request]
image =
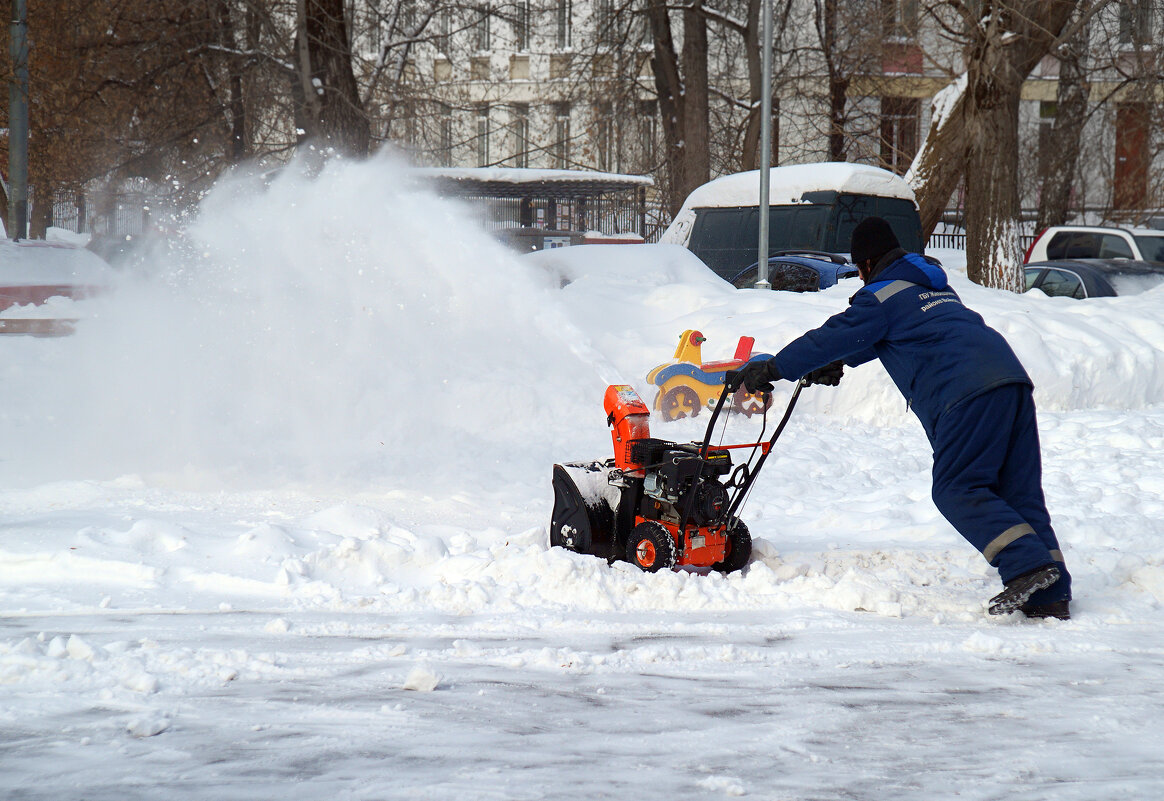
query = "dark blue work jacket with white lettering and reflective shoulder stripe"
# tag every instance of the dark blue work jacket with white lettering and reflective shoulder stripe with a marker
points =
(939, 352)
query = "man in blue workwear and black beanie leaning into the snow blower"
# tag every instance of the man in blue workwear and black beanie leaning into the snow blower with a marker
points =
(973, 396)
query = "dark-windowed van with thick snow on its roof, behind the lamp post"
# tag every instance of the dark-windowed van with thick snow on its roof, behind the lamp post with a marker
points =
(812, 208)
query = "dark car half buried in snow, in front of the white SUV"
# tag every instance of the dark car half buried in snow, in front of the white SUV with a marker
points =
(1092, 278)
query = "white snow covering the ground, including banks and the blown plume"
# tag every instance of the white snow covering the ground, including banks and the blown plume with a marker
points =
(274, 526)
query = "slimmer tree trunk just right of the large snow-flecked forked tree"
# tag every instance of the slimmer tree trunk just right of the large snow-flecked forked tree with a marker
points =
(1067, 136)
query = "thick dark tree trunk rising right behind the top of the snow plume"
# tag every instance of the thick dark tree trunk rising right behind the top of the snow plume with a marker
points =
(335, 114)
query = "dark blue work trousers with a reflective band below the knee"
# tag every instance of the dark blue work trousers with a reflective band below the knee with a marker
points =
(989, 484)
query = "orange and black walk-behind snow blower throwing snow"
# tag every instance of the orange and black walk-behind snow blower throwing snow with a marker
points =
(659, 505)
